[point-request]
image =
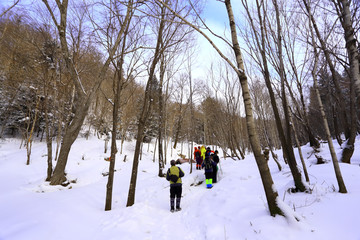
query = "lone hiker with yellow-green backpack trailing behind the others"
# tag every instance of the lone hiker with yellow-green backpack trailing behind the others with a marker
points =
(174, 175)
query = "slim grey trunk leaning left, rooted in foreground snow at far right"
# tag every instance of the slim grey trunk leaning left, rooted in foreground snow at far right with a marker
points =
(342, 188)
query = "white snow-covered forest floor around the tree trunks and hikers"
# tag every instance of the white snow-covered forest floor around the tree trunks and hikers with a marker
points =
(235, 208)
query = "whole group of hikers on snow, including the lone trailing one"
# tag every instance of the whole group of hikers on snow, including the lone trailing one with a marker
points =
(205, 159)
